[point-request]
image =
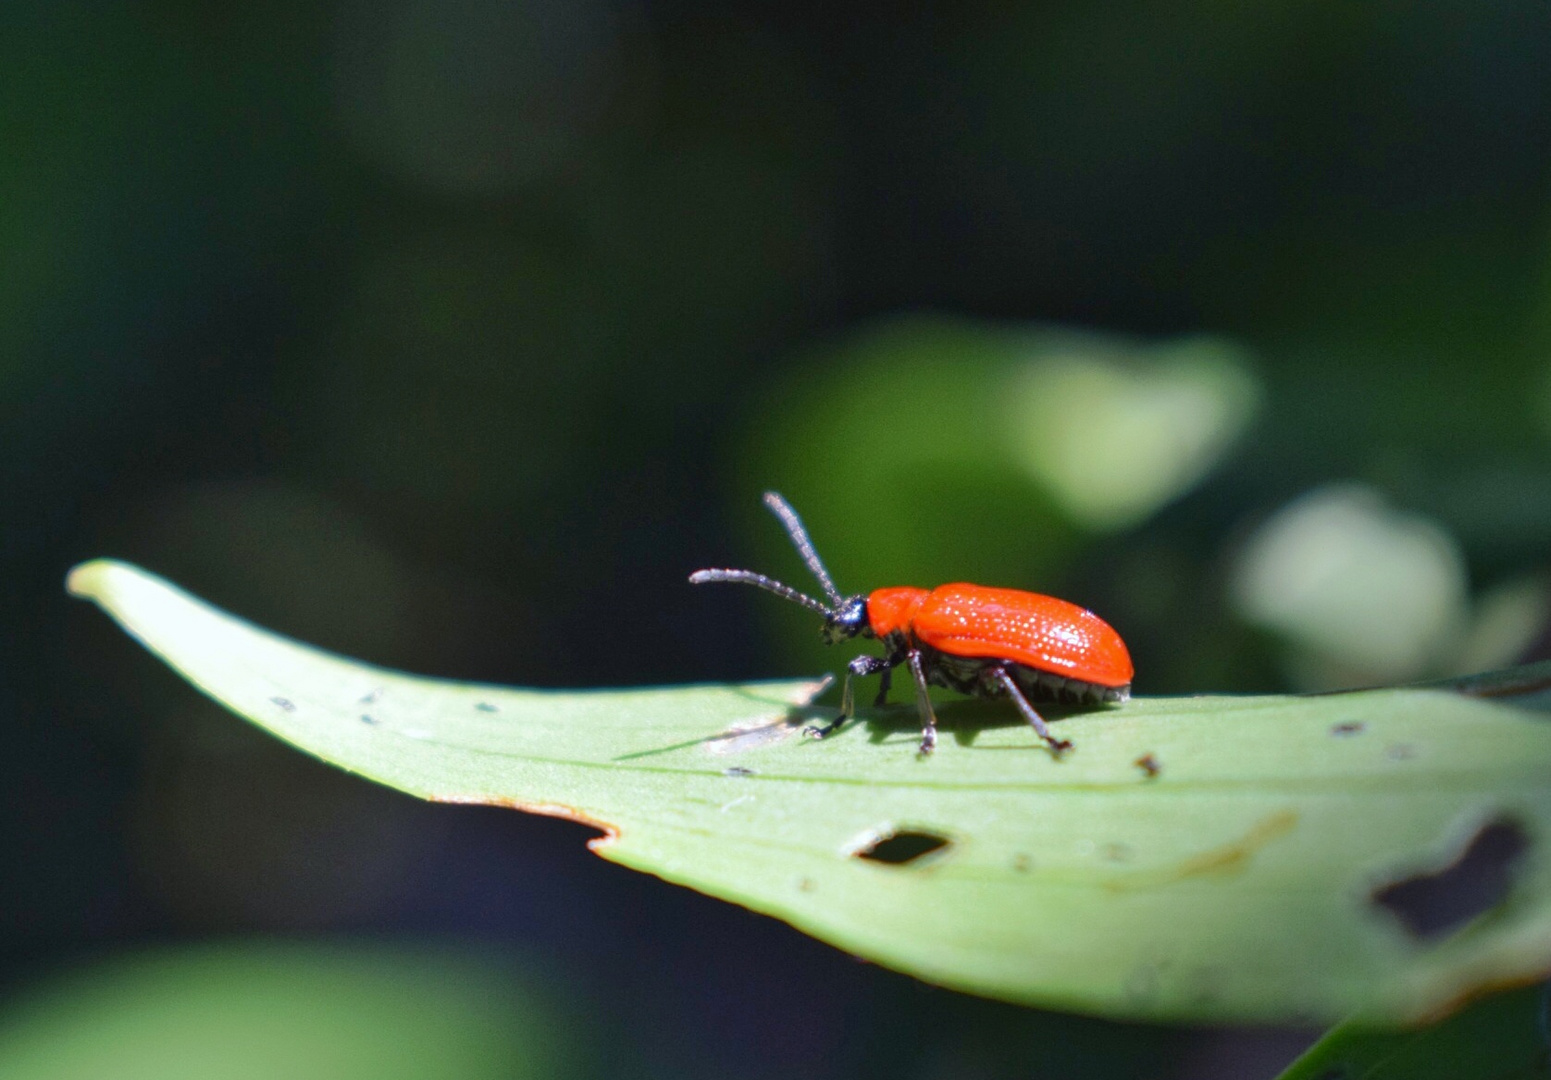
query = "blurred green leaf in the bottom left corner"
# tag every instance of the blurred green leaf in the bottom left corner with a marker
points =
(260, 1011)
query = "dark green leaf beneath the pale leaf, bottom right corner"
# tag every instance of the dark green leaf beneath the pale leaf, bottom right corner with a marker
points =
(1501, 1039)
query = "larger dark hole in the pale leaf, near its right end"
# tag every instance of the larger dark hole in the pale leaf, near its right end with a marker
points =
(1431, 905)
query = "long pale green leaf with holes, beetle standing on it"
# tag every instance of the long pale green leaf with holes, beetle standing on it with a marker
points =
(1242, 882)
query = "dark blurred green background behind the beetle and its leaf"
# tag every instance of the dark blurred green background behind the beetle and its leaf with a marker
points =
(454, 336)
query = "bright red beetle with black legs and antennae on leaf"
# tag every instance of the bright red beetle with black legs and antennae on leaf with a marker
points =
(989, 643)
